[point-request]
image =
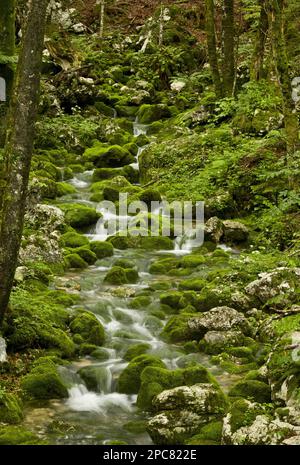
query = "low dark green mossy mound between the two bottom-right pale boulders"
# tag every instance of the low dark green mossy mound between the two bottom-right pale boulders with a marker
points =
(252, 390)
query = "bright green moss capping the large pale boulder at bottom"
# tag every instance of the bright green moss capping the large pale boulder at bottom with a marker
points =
(155, 380)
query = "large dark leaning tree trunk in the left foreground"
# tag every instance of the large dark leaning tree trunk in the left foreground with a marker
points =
(15, 169)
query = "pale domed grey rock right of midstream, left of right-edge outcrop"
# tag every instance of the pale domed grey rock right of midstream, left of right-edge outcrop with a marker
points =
(219, 319)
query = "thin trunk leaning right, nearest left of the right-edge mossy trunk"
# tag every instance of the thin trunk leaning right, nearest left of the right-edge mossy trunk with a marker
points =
(259, 51)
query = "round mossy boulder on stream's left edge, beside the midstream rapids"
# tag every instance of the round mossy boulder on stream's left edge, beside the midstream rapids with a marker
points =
(89, 327)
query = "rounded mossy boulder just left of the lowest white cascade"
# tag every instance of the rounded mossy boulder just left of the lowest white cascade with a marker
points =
(44, 381)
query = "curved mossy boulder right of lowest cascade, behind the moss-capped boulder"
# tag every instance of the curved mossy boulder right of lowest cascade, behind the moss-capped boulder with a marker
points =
(130, 379)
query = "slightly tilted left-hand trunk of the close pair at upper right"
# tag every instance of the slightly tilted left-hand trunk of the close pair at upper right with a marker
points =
(212, 46)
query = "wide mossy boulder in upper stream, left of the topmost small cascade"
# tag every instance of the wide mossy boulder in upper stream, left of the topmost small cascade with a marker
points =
(108, 157)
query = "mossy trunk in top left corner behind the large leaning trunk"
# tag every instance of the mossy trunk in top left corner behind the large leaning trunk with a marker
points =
(7, 50)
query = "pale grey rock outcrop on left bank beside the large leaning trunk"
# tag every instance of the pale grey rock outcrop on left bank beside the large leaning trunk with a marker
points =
(46, 221)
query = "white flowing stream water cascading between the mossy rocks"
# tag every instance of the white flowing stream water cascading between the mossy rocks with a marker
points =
(88, 417)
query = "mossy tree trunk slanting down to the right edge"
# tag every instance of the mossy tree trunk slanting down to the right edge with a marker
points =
(276, 9)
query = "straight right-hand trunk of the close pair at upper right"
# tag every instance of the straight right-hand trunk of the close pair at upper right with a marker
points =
(228, 32)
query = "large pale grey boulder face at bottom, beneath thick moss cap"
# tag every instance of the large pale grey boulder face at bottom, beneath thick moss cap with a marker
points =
(183, 410)
